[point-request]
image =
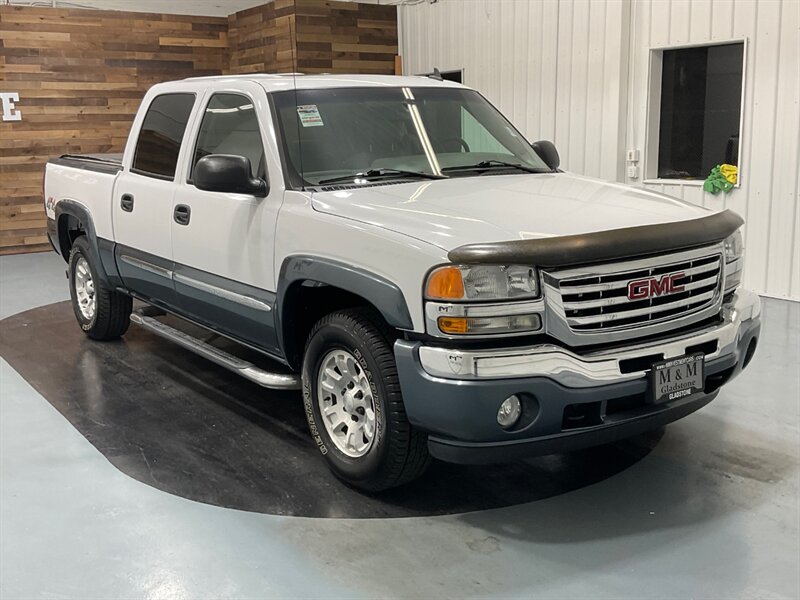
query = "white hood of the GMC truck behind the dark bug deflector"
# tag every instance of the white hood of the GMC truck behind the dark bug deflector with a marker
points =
(453, 212)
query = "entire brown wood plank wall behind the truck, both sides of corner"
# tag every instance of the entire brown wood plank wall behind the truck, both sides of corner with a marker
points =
(81, 74)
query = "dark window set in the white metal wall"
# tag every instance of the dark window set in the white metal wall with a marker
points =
(701, 91)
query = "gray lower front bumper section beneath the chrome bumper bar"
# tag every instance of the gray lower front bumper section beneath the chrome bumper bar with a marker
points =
(461, 415)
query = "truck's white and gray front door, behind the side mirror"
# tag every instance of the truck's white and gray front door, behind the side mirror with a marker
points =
(223, 246)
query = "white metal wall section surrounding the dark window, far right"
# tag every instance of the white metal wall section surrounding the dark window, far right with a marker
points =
(770, 138)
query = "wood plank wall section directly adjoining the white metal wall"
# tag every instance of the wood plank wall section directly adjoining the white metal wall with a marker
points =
(346, 37)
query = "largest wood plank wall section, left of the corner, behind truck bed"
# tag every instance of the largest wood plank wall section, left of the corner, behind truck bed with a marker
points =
(80, 75)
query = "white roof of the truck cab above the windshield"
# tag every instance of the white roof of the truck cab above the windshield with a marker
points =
(285, 81)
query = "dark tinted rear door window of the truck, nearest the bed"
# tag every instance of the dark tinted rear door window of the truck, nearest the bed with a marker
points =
(161, 134)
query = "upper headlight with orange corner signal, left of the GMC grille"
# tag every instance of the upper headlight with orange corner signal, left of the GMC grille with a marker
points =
(482, 282)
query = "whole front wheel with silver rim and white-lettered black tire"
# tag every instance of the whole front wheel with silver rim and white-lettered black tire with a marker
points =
(353, 402)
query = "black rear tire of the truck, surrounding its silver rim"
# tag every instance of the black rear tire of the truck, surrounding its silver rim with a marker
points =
(112, 312)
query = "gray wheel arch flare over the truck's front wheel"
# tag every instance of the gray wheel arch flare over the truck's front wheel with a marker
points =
(384, 295)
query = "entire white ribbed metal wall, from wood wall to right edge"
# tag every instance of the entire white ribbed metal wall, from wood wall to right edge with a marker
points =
(576, 72)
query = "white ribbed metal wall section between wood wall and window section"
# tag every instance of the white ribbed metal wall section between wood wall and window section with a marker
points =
(555, 68)
